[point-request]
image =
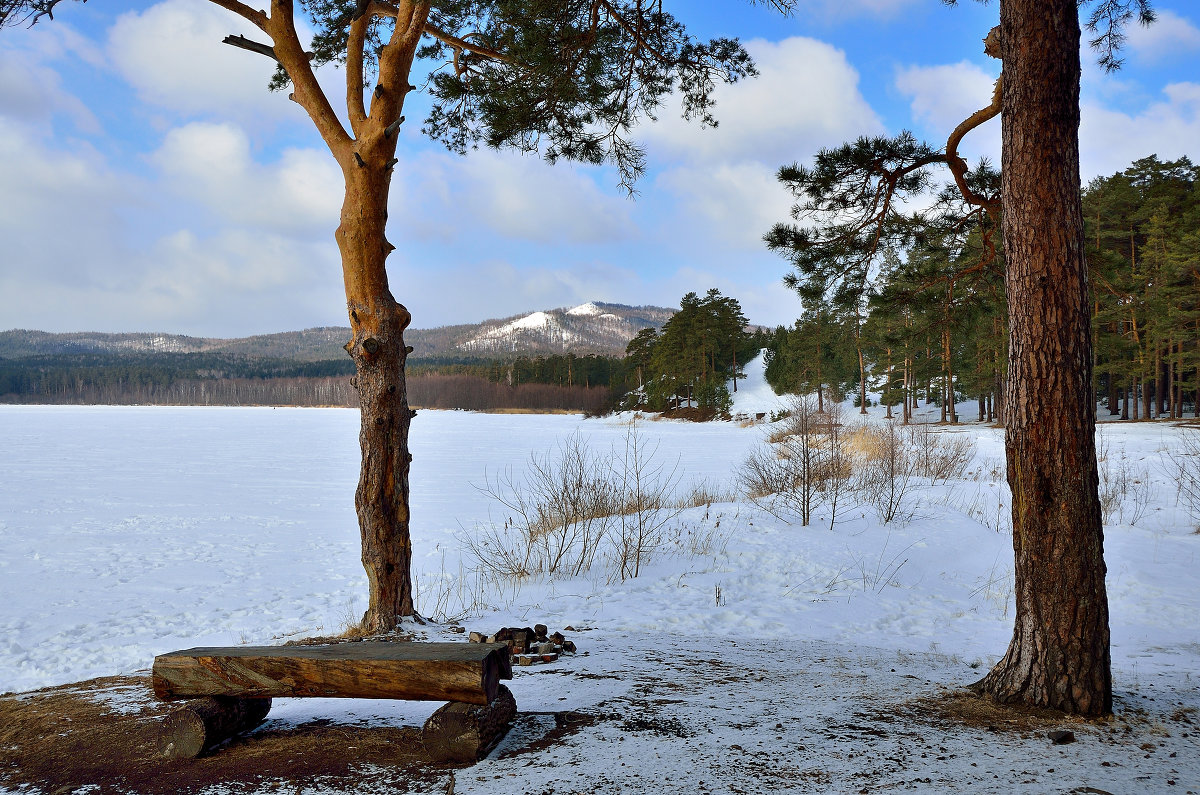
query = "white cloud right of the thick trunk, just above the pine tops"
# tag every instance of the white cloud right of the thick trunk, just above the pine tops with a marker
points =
(1112, 140)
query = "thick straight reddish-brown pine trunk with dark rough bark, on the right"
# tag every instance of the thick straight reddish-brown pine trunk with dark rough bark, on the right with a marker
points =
(1059, 656)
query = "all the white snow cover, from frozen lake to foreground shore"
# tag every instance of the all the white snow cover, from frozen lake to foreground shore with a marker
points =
(128, 533)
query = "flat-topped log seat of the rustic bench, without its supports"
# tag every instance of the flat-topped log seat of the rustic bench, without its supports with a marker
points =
(469, 673)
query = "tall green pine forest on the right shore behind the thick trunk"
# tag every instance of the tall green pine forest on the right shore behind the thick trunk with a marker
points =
(932, 322)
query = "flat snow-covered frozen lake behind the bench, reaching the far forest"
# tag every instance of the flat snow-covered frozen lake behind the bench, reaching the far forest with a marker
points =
(128, 531)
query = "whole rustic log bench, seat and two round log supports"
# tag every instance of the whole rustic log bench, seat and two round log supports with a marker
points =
(232, 690)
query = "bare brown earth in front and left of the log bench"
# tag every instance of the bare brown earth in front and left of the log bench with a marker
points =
(103, 733)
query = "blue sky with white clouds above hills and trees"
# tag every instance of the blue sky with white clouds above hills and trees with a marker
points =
(149, 182)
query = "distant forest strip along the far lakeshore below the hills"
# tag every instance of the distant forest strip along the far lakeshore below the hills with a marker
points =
(531, 384)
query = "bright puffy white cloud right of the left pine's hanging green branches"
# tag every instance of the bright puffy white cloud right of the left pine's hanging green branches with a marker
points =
(806, 98)
